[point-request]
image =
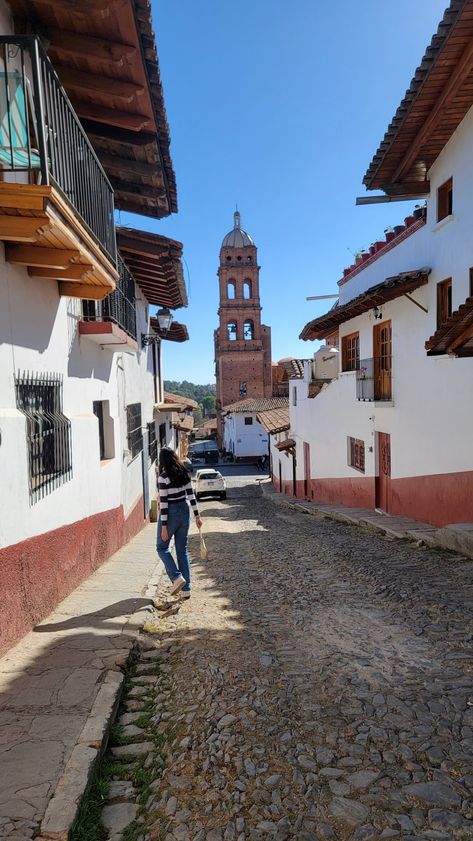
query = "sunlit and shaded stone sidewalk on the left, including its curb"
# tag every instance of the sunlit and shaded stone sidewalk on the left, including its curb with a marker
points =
(59, 690)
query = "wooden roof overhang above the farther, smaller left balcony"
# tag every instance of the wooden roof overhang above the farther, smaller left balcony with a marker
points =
(155, 263)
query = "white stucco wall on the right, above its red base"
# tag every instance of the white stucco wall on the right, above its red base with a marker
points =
(430, 416)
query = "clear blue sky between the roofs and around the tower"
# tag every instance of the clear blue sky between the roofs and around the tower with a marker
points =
(279, 106)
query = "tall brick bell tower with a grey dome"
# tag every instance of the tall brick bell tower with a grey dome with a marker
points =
(242, 343)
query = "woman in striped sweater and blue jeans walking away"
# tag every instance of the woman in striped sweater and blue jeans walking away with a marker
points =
(175, 489)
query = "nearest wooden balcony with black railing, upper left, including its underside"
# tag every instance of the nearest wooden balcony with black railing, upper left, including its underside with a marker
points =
(56, 204)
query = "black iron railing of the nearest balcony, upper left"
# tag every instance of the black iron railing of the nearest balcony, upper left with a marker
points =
(41, 134)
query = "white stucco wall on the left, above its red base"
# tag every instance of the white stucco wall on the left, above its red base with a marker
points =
(39, 333)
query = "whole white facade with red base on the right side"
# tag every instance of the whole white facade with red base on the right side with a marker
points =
(417, 447)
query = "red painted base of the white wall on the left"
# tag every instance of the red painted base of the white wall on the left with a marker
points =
(38, 573)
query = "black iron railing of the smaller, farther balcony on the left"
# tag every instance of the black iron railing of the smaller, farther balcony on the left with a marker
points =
(119, 307)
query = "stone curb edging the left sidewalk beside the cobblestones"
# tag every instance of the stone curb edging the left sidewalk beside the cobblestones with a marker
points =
(63, 807)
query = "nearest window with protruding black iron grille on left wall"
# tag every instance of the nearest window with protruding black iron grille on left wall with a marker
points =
(48, 432)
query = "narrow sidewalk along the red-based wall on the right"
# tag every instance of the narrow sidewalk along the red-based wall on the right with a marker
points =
(457, 537)
